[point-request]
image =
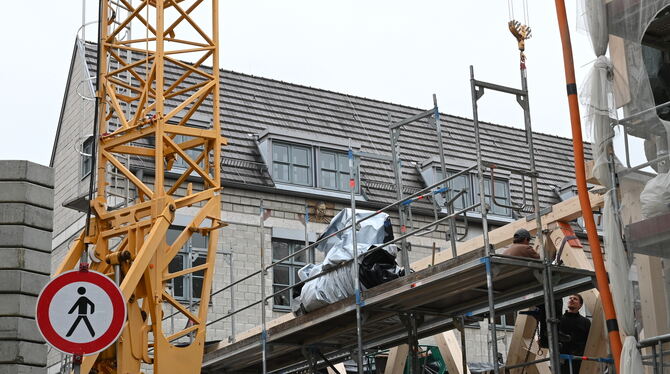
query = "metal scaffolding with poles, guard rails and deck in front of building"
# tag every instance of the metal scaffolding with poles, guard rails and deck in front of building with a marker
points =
(416, 305)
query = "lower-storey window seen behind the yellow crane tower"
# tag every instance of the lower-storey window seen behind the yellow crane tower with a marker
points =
(188, 287)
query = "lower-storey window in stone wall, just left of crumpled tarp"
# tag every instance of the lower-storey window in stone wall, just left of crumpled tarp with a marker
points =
(286, 273)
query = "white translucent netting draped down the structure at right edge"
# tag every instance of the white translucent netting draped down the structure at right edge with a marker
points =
(638, 78)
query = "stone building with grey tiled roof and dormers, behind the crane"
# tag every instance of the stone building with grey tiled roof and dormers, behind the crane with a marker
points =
(288, 152)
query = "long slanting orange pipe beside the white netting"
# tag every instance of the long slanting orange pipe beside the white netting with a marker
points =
(580, 174)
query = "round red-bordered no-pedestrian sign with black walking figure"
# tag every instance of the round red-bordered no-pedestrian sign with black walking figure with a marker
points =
(81, 312)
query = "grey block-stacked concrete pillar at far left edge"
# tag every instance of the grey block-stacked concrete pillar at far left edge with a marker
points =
(26, 222)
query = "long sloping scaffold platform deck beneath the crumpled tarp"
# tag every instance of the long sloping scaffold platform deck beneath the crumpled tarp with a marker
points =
(436, 297)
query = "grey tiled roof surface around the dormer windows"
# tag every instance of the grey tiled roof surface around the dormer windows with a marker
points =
(254, 105)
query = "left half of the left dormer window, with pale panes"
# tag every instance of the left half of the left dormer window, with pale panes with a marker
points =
(292, 164)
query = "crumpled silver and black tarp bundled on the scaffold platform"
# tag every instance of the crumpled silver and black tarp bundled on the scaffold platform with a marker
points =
(376, 265)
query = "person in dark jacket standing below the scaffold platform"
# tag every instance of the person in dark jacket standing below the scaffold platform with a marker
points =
(575, 328)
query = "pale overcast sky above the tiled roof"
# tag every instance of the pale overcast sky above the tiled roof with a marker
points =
(391, 50)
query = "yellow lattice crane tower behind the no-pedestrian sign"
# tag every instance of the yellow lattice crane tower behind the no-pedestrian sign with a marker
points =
(146, 96)
